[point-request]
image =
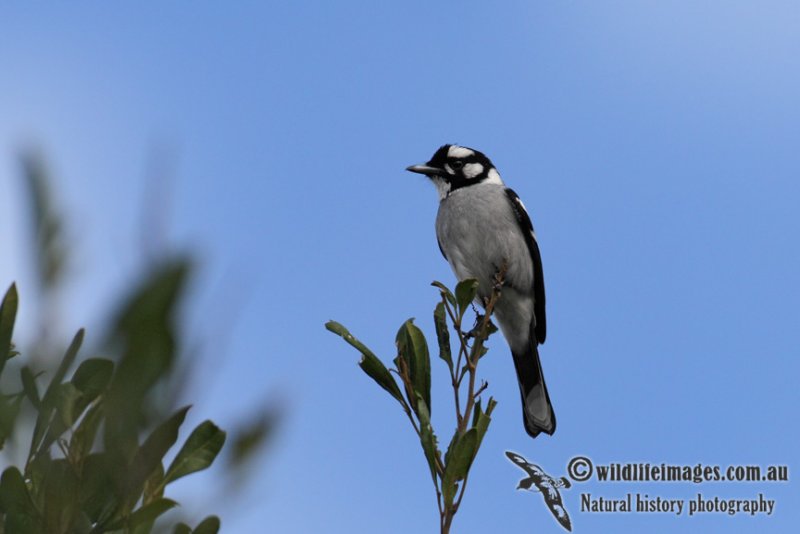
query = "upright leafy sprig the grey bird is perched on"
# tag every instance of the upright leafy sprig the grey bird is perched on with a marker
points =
(412, 366)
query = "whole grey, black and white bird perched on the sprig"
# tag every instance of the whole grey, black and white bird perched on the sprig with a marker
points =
(482, 225)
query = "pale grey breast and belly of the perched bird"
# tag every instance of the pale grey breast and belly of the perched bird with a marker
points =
(478, 231)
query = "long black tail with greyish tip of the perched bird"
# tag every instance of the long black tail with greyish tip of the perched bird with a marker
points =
(537, 411)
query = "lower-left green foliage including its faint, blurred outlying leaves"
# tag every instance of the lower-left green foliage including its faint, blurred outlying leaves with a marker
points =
(96, 431)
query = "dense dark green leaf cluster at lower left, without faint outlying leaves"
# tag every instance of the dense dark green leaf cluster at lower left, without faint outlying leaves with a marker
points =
(95, 463)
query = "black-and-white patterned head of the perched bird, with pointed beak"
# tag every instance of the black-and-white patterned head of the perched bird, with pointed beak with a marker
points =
(453, 167)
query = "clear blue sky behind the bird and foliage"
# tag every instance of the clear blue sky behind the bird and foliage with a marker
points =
(655, 145)
